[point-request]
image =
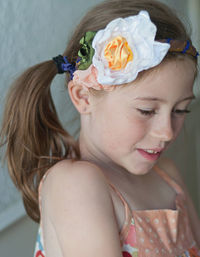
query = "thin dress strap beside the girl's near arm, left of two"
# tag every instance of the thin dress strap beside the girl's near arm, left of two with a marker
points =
(128, 213)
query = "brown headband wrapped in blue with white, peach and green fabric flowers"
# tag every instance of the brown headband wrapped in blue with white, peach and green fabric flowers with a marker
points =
(115, 55)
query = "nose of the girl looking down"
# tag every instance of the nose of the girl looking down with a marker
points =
(163, 129)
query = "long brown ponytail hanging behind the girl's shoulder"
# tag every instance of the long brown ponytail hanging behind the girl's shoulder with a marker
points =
(33, 134)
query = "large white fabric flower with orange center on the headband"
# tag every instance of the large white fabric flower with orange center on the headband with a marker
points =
(136, 38)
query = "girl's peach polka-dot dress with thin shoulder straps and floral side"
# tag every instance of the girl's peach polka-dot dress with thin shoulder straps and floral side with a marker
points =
(151, 233)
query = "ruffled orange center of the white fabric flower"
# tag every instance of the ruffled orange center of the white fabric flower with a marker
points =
(118, 53)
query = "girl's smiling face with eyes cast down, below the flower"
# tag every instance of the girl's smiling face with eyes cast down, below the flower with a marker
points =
(145, 115)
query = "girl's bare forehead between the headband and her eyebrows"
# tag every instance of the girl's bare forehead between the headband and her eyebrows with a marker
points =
(174, 78)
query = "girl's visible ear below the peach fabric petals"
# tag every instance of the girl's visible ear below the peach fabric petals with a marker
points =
(80, 97)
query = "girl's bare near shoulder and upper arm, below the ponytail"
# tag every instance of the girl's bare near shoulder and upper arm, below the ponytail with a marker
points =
(79, 206)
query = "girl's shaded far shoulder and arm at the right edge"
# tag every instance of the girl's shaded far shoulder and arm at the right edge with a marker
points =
(168, 166)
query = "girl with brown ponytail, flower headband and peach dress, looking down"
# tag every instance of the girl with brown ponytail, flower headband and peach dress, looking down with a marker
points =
(130, 69)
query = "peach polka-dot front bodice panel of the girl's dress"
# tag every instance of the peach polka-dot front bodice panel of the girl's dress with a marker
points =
(158, 233)
